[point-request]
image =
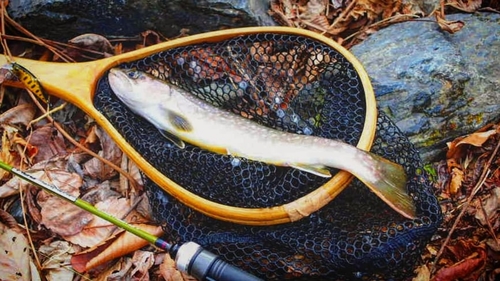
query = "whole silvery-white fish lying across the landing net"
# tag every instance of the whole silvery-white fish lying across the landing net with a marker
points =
(182, 117)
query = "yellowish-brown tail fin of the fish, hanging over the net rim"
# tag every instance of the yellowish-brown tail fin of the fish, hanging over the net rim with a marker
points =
(388, 181)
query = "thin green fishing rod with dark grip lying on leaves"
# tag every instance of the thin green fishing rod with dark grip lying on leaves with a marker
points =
(189, 257)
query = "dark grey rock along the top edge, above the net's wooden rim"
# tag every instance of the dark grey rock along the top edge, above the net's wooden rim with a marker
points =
(62, 20)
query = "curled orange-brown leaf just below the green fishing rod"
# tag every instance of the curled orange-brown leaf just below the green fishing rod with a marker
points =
(112, 248)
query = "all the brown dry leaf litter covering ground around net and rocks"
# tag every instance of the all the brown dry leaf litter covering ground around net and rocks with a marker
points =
(69, 152)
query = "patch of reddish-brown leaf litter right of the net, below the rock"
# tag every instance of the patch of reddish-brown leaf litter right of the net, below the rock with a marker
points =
(466, 246)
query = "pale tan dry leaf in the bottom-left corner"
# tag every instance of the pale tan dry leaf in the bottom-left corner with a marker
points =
(14, 257)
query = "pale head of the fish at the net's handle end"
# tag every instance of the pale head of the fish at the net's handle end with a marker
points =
(136, 88)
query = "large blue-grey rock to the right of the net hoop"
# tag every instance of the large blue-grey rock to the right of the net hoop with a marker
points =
(434, 85)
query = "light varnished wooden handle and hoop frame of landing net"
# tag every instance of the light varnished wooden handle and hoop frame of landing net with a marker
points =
(76, 83)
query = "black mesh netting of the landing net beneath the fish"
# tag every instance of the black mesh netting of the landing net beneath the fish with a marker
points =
(299, 85)
